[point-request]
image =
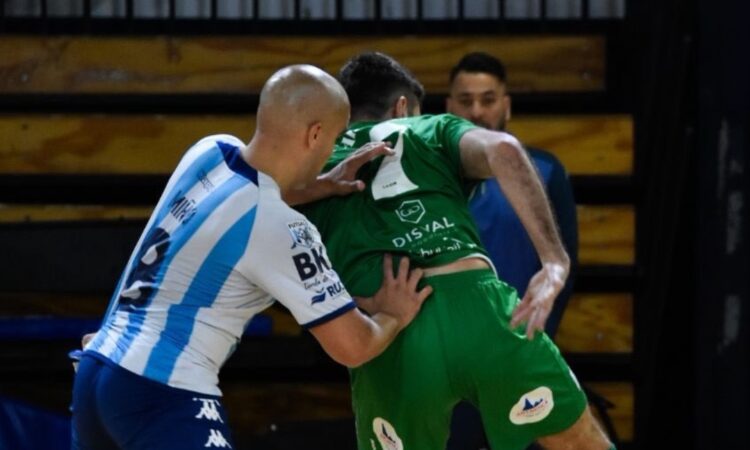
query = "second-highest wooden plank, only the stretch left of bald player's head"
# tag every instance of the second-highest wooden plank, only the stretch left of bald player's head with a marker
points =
(91, 144)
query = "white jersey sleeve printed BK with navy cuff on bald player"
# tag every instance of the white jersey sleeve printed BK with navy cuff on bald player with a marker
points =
(287, 259)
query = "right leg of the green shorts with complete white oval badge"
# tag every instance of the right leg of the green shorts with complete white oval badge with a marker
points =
(524, 387)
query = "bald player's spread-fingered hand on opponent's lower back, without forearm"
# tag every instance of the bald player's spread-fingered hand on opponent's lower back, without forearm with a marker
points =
(398, 295)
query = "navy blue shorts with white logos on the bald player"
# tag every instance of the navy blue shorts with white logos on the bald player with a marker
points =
(142, 414)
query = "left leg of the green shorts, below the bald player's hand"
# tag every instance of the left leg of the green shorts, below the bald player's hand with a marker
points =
(402, 398)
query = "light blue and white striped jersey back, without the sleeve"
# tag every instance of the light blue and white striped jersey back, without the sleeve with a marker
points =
(169, 320)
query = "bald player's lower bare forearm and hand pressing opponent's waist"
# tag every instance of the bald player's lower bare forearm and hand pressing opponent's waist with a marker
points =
(353, 338)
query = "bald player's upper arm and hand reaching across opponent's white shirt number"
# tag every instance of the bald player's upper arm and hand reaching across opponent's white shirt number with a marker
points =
(341, 180)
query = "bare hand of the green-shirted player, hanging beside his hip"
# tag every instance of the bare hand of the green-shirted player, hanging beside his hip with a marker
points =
(539, 298)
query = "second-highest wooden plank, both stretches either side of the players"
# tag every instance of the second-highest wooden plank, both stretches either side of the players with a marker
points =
(147, 144)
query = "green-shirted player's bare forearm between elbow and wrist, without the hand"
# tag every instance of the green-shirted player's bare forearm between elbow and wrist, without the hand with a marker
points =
(520, 183)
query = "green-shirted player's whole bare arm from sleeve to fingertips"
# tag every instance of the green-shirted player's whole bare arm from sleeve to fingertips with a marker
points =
(485, 154)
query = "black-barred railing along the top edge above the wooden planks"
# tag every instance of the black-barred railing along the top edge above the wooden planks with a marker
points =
(209, 10)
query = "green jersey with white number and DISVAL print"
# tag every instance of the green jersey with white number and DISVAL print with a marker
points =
(415, 203)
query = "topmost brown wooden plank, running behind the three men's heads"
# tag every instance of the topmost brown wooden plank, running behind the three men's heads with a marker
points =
(242, 64)
